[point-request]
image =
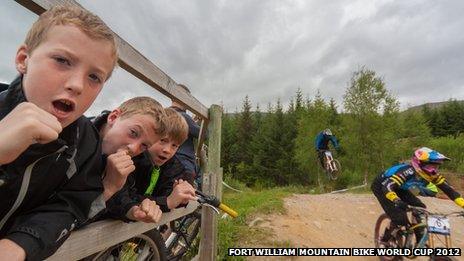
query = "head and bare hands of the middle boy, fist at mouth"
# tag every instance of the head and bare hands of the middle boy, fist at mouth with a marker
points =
(126, 132)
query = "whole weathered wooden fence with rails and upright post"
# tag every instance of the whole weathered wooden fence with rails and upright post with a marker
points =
(103, 234)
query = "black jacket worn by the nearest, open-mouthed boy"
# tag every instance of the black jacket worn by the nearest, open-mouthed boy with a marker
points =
(49, 189)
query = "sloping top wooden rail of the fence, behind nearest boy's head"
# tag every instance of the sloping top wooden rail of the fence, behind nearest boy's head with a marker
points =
(134, 62)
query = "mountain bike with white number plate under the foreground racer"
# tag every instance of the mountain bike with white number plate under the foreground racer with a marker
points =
(426, 229)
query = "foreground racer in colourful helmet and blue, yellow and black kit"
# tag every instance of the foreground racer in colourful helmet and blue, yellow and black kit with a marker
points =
(392, 187)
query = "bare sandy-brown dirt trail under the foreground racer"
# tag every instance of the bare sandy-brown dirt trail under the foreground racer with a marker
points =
(339, 220)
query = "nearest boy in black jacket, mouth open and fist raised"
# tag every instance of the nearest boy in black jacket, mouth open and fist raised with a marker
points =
(50, 154)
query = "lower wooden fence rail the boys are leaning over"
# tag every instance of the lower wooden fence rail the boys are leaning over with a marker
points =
(102, 234)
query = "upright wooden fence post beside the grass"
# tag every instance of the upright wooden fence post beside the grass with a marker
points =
(209, 221)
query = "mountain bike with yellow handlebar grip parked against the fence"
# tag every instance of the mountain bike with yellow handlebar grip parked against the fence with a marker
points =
(152, 246)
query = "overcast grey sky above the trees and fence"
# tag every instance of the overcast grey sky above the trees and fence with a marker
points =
(224, 50)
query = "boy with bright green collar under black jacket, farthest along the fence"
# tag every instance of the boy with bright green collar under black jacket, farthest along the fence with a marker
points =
(158, 175)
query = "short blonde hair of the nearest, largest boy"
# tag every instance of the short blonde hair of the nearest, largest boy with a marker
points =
(89, 23)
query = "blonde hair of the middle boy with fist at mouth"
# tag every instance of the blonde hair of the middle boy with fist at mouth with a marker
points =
(146, 106)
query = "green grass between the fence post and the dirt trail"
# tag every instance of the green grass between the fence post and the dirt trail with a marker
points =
(236, 233)
